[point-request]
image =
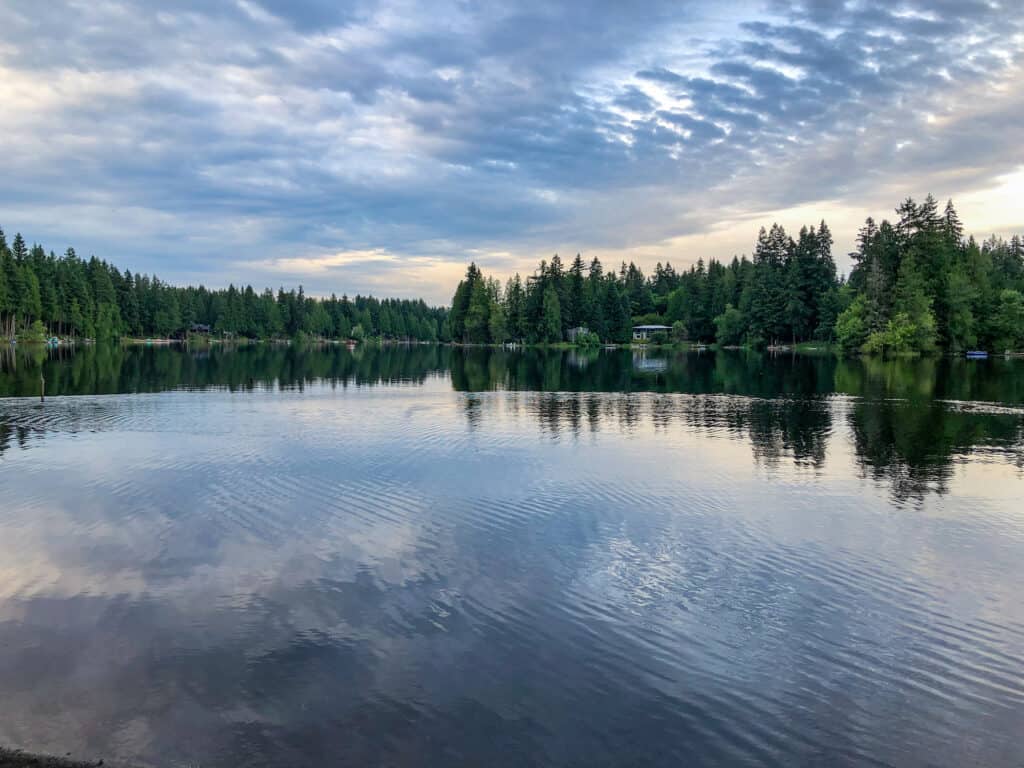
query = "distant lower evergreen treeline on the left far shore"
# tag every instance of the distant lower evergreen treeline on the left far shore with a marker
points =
(42, 293)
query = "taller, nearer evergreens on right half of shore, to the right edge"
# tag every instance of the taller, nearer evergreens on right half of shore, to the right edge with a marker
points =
(916, 285)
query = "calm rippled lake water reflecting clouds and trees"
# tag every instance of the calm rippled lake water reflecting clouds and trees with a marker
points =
(425, 557)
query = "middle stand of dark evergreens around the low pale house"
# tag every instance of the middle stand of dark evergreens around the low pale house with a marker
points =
(791, 290)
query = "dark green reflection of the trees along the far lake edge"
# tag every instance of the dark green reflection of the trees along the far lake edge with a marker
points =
(910, 420)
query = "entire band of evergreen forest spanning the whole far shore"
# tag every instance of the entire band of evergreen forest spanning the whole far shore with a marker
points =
(917, 285)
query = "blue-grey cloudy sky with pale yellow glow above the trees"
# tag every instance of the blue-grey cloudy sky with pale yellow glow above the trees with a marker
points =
(379, 146)
